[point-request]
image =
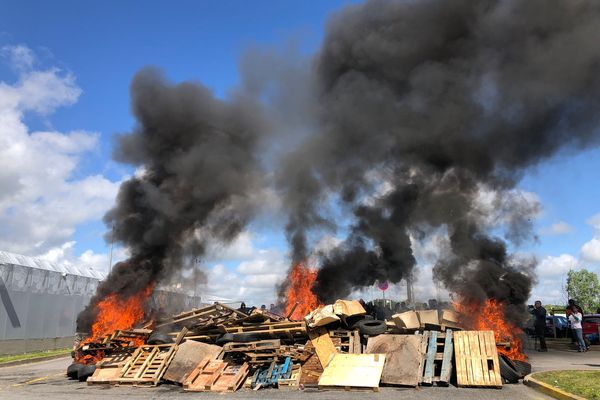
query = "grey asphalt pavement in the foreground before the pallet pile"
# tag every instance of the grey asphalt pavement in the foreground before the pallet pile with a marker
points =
(46, 381)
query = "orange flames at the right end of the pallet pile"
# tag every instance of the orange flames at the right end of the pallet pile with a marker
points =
(491, 316)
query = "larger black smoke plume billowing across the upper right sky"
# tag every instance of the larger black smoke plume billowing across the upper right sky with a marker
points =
(442, 101)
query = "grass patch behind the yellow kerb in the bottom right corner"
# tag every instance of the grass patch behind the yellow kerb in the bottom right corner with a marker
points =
(582, 383)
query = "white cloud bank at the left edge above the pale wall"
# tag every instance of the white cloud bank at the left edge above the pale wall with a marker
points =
(41, 202)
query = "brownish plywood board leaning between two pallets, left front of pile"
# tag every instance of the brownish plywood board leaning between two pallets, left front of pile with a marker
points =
(188, 356)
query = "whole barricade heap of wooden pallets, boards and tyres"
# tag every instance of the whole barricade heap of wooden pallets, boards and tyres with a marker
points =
(218, 348)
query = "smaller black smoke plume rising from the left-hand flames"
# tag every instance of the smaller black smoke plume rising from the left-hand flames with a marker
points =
(198, 171)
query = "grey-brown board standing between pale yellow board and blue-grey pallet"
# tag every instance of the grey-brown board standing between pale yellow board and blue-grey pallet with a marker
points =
(403, 355)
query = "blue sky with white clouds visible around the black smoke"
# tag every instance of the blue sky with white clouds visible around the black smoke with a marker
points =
(96, 48)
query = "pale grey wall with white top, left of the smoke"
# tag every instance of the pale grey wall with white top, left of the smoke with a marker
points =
(39, 302)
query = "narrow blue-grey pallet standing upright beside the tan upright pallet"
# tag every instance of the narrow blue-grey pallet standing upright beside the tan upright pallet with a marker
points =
(438, 351)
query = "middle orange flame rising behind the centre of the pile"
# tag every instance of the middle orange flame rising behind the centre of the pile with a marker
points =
(301, 279)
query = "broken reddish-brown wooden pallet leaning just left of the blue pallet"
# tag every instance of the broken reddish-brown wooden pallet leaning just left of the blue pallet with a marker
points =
(216, 376)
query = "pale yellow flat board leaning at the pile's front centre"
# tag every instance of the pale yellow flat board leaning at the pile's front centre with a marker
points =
(353, 371)
